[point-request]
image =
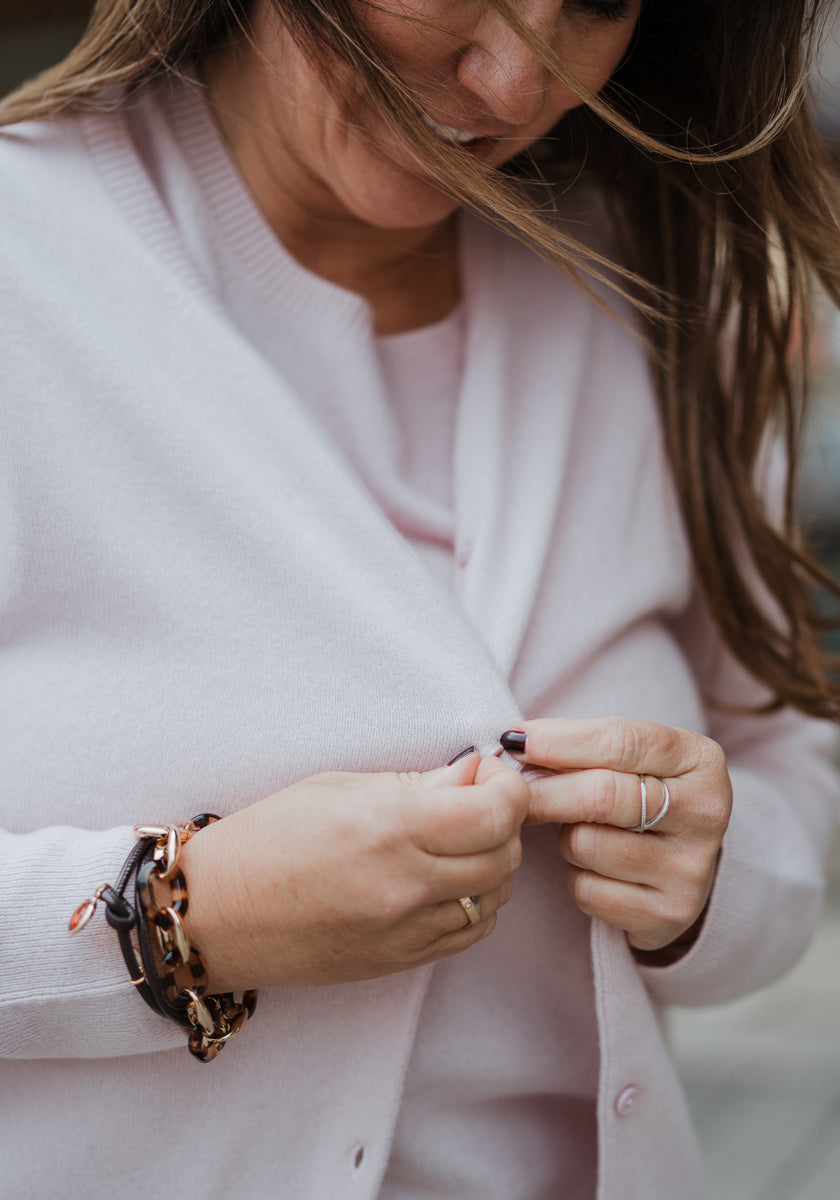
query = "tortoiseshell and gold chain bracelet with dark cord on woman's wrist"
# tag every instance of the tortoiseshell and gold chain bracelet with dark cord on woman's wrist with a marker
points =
(170, 975)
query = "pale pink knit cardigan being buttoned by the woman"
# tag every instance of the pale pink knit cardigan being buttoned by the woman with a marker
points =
(202, 602)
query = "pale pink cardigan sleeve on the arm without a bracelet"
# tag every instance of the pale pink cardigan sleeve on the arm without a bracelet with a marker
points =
(767, 898)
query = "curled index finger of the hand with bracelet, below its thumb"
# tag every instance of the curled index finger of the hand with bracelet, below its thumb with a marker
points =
(467, 820)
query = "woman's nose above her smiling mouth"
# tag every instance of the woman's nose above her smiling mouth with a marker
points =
(502, 73)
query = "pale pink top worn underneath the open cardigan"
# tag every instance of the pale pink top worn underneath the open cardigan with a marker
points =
(501, 1090)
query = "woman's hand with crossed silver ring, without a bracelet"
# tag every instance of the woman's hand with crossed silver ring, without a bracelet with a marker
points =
(656, 885)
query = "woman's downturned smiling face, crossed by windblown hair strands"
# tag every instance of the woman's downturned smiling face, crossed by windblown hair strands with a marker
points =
(315, 152)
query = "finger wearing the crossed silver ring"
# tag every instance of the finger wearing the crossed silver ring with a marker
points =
(605, 797)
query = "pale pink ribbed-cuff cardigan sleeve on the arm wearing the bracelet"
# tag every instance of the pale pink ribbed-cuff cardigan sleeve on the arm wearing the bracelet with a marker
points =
(67, 997)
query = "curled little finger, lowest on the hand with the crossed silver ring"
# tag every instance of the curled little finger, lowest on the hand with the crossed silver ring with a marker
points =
(651, 919)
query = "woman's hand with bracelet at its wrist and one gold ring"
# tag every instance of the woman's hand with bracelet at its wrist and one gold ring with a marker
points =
(355, 877)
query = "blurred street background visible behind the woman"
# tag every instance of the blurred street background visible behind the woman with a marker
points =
(764, 1075)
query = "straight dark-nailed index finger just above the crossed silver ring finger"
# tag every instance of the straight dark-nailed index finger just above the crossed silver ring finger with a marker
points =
(615, 742)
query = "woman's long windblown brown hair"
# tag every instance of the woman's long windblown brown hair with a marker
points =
(725, 213)
